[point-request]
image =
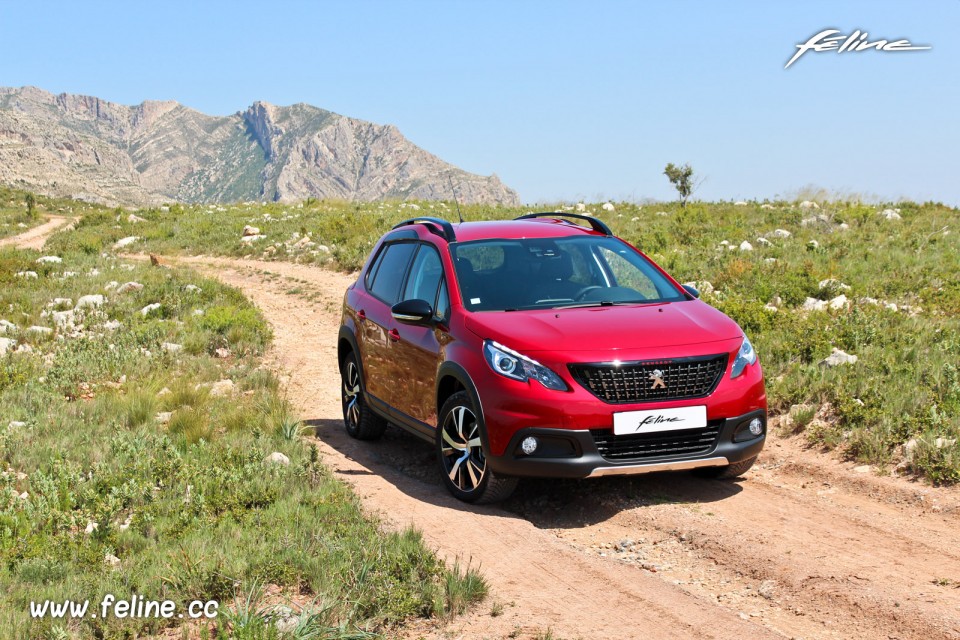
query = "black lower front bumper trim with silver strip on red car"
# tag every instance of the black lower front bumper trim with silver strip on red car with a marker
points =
(565, 453)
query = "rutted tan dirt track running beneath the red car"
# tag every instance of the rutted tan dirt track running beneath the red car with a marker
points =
(803, 547)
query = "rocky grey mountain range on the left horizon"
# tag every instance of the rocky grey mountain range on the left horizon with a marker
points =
(91, 149)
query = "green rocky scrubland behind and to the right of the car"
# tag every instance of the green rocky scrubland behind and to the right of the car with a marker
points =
(778, 268)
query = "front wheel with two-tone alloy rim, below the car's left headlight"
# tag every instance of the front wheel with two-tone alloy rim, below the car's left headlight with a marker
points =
(460, 454)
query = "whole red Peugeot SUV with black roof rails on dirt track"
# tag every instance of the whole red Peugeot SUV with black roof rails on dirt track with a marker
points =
(539, 347)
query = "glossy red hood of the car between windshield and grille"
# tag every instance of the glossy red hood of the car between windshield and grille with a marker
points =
(633, 327)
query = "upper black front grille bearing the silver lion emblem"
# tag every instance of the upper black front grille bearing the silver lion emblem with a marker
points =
(631, 382)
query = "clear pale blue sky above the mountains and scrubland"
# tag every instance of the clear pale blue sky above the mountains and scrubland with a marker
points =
(562, 100)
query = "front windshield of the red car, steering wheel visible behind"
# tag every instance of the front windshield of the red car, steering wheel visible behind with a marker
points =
(550, 273)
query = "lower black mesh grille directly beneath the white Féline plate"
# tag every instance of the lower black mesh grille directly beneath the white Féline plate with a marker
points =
(635, 446)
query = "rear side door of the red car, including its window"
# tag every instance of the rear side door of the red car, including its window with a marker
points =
(381, 370)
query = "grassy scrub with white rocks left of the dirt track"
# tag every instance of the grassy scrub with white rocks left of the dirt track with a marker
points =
(146, 450)
